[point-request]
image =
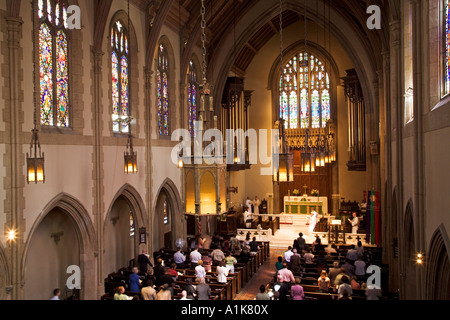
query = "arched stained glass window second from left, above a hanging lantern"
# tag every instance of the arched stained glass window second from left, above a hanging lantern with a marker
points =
(120, 78)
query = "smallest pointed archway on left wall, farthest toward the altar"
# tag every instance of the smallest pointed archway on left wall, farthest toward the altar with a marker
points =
(168, 223)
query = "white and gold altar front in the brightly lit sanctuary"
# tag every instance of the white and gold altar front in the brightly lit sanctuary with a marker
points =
(305, 204)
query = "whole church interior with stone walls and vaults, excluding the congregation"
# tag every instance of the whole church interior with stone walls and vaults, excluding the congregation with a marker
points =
(131, 126)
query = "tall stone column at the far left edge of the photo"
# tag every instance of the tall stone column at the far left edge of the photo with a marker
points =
(14, 158)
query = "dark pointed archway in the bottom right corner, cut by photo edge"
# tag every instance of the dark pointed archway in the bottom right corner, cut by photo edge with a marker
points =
(438, 266)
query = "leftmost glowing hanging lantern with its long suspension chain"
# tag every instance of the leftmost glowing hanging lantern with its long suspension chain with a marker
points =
(35, 159)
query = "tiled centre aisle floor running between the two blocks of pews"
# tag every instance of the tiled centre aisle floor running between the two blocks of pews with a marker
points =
(263, 276)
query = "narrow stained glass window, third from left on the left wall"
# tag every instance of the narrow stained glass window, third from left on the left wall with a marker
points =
(163, 91)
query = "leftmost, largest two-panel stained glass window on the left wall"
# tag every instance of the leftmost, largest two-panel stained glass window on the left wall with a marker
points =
(53, 63)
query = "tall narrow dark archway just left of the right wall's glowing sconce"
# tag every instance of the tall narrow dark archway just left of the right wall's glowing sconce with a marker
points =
(410, 279)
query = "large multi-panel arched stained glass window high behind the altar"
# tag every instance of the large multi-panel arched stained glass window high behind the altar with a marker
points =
(305, 93)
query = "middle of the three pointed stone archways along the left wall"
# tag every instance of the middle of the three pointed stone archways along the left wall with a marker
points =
(125, 217)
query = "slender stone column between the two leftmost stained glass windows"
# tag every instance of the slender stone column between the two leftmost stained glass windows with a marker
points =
(97, 159)
